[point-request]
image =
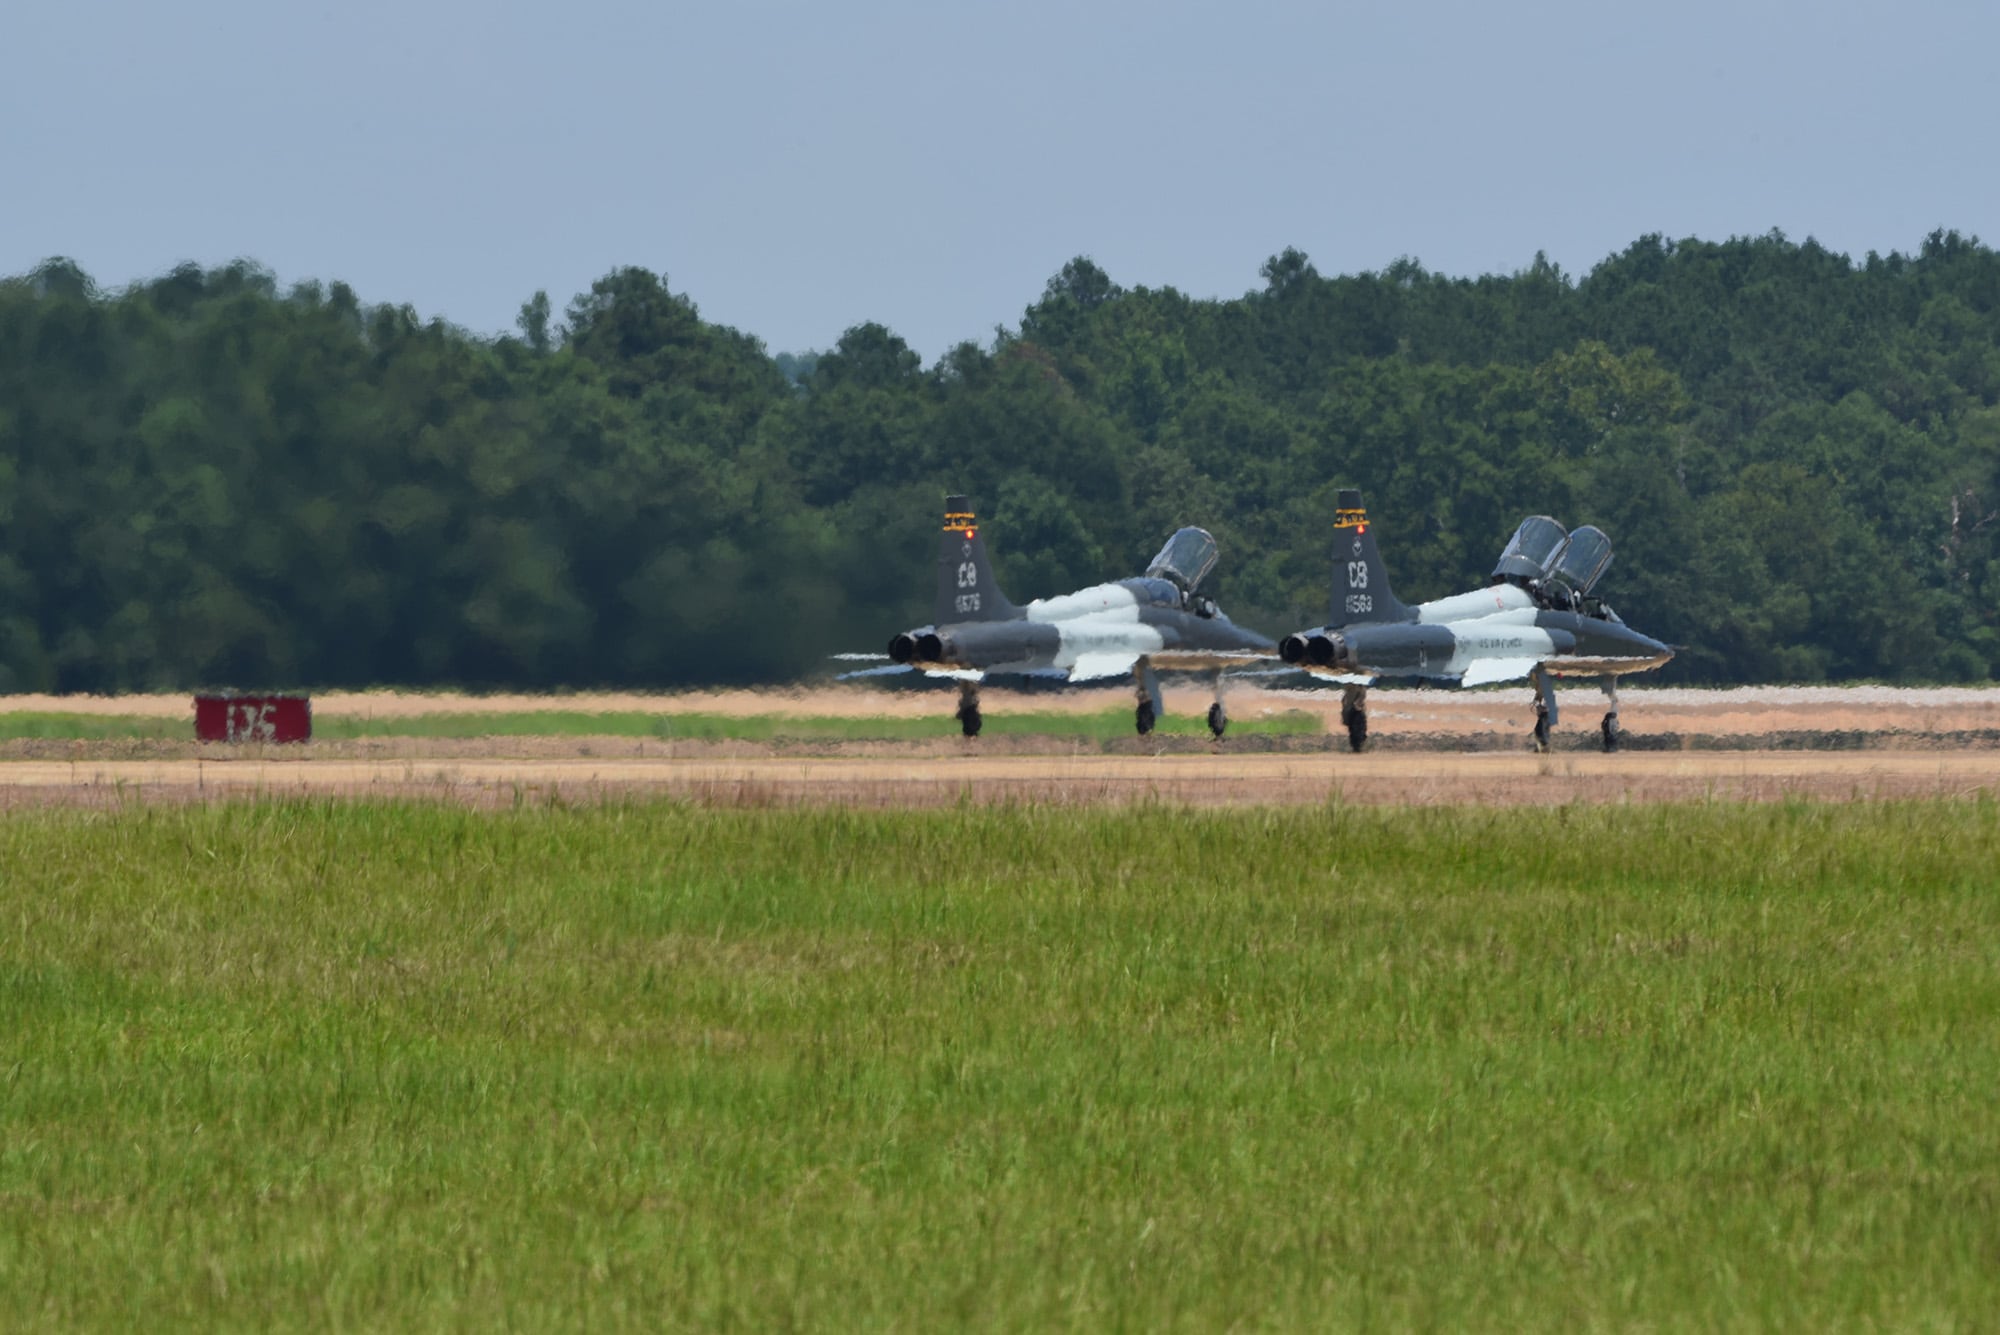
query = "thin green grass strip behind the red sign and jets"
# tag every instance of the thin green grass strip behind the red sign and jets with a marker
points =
(1099, 726)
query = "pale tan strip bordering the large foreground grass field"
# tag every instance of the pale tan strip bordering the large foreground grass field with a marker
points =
(903, 782)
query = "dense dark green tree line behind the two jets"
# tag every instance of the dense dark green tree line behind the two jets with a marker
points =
(207, 481)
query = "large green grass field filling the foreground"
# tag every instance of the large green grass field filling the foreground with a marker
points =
(663, 1066)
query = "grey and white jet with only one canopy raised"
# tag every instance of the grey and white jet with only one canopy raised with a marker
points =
(1157, 623)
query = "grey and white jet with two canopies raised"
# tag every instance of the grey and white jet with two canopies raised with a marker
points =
(1539, 623)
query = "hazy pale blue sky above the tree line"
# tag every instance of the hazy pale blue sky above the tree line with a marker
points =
(799, 169)
